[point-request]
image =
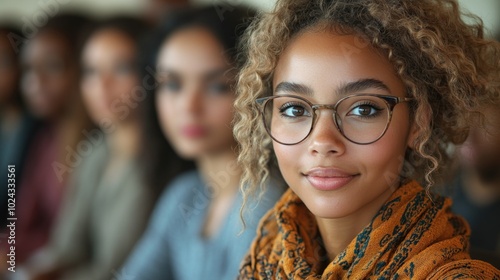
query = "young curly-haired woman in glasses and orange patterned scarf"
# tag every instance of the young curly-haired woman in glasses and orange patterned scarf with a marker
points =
(358, 101)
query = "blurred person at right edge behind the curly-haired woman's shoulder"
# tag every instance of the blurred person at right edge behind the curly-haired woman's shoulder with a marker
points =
(476, 188)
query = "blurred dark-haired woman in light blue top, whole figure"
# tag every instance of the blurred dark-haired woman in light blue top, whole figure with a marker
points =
(194, 230)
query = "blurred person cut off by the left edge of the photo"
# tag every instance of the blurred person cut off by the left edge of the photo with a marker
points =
(16, 125)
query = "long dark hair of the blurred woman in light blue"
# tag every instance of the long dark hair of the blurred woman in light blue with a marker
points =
(227, 28)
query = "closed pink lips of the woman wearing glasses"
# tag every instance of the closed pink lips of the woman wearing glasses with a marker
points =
(328, 179)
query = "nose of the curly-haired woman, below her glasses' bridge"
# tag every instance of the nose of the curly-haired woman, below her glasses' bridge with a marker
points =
(325, 139)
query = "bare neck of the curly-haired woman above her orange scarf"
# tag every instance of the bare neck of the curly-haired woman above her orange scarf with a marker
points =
(337, 233)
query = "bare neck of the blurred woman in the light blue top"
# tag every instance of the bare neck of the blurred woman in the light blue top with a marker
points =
(221, 172)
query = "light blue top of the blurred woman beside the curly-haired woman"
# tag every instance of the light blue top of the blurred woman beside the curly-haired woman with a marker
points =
(173, 248)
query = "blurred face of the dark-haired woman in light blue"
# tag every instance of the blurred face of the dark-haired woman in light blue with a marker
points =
(194, 99)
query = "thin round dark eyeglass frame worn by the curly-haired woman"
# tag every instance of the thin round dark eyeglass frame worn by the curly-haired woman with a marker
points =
(390, 101)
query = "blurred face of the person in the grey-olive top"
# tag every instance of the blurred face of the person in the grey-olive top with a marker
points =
(109, 75)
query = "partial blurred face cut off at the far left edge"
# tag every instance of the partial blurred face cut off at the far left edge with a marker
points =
(9, 71)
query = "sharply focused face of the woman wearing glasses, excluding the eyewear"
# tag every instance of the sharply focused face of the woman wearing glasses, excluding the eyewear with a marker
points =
(334, 177)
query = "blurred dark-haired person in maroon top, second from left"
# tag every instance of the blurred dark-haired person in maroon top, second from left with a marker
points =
(49, 84)
